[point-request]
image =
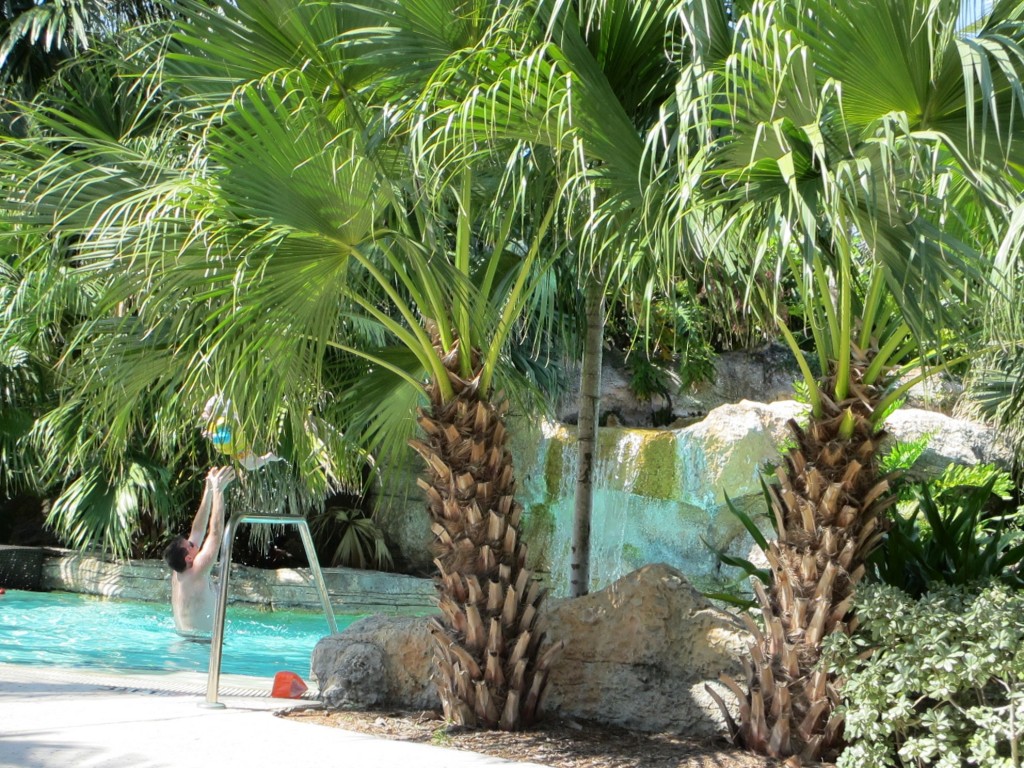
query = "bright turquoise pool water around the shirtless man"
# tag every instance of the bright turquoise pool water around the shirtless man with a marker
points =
(61, 629)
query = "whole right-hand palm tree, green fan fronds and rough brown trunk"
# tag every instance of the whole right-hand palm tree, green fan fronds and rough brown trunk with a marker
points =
(868, 184)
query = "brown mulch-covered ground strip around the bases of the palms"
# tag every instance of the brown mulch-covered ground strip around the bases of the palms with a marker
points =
(558, 744)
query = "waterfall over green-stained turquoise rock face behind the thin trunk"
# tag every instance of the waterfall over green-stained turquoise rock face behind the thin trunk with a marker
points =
(659, 494)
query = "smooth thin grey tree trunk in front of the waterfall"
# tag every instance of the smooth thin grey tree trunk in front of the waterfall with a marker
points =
(590, 400)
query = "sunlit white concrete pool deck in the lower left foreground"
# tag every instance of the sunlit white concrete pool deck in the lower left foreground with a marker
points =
(54, 718)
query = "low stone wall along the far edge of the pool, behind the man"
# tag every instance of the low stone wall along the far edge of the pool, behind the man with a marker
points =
(352, 591)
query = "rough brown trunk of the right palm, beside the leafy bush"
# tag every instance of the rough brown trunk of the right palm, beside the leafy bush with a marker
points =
(829, 506)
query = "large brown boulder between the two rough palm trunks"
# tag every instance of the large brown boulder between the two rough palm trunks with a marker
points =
(639, 654)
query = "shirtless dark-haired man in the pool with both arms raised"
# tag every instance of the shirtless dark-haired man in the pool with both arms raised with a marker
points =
(192, 560)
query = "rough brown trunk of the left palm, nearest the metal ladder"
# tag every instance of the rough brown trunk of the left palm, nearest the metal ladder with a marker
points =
(491, 664)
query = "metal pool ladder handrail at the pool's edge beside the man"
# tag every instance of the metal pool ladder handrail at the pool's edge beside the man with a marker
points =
(255, 519)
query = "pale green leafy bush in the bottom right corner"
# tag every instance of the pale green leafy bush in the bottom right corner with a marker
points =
(937, 682)
